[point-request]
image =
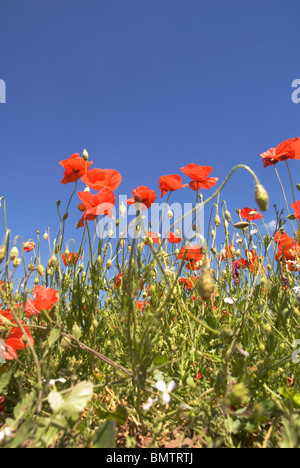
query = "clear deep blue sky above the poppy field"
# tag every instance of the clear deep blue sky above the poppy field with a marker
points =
(146, 87)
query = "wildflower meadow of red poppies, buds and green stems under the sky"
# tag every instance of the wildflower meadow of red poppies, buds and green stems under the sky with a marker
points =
(158, 325)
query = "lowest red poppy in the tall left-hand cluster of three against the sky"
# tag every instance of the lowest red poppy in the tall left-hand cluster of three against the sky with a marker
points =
(100, 204)
